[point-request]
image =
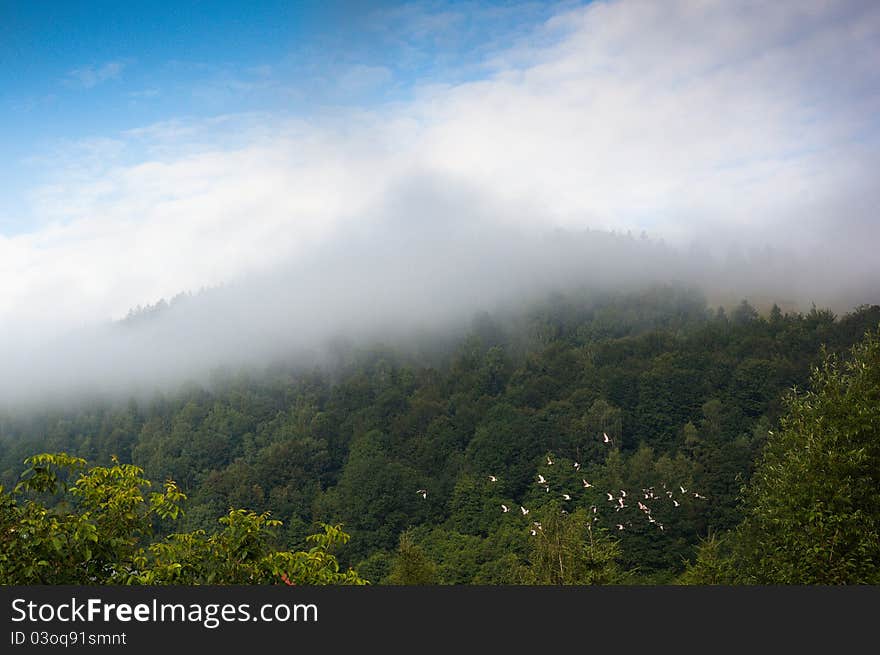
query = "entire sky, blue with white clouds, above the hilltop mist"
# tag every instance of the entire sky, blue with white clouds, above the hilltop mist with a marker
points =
(151, 148)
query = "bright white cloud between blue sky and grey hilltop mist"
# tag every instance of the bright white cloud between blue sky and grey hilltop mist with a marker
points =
(727, 122)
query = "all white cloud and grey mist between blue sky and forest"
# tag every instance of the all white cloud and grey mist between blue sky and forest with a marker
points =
(742, 134)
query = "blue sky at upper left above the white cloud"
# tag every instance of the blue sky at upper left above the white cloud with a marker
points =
(74, 71)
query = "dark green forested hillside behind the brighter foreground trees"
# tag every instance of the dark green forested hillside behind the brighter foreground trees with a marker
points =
(417, 453)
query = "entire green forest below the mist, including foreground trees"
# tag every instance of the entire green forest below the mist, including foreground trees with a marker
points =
(629, 438)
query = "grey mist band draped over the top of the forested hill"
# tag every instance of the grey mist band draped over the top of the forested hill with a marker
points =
(405, 284)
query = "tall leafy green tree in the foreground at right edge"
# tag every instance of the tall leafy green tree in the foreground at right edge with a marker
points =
(813, 504)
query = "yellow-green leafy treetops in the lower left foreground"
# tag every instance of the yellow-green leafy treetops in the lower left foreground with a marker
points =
(104, 535)
